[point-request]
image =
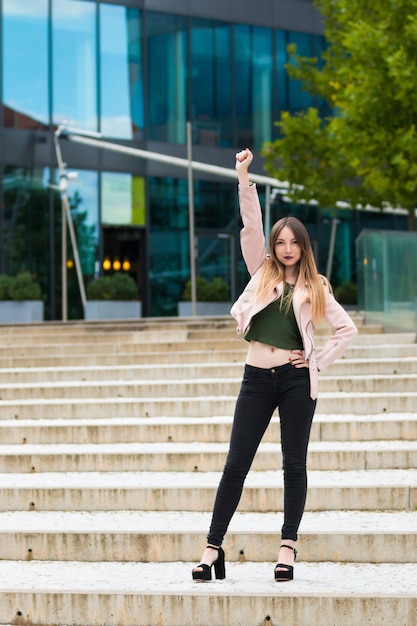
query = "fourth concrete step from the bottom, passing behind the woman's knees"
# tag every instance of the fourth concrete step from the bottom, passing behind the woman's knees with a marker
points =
(203, 457)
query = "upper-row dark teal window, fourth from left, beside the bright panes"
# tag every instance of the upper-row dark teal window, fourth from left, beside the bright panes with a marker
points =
(167, 77)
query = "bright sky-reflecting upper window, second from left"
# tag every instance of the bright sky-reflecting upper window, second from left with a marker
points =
(74, 63)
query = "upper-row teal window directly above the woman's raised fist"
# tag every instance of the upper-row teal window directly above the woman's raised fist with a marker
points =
(254, 85)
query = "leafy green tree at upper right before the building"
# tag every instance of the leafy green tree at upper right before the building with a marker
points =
(366, 152)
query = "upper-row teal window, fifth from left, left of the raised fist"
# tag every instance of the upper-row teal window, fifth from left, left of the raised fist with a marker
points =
(211, 83)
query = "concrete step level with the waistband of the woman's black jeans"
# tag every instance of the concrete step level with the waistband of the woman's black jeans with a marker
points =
(188, 371)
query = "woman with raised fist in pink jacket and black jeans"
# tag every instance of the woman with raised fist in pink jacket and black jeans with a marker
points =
(283, 301)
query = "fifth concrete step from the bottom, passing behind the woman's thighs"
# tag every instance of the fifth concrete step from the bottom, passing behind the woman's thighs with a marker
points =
(379, 427)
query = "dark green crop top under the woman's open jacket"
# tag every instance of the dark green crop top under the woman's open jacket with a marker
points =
(276, 327)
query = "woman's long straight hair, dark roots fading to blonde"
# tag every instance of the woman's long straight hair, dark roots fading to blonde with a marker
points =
(273, 271)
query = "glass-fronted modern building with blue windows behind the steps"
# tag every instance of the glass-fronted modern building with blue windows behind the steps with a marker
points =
(137, 71)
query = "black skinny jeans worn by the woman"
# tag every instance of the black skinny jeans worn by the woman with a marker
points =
(262, 391)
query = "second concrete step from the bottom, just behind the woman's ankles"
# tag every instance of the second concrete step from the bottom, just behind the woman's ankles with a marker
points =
(389, 536)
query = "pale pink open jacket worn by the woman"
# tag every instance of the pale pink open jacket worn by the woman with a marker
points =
(254, 252)
